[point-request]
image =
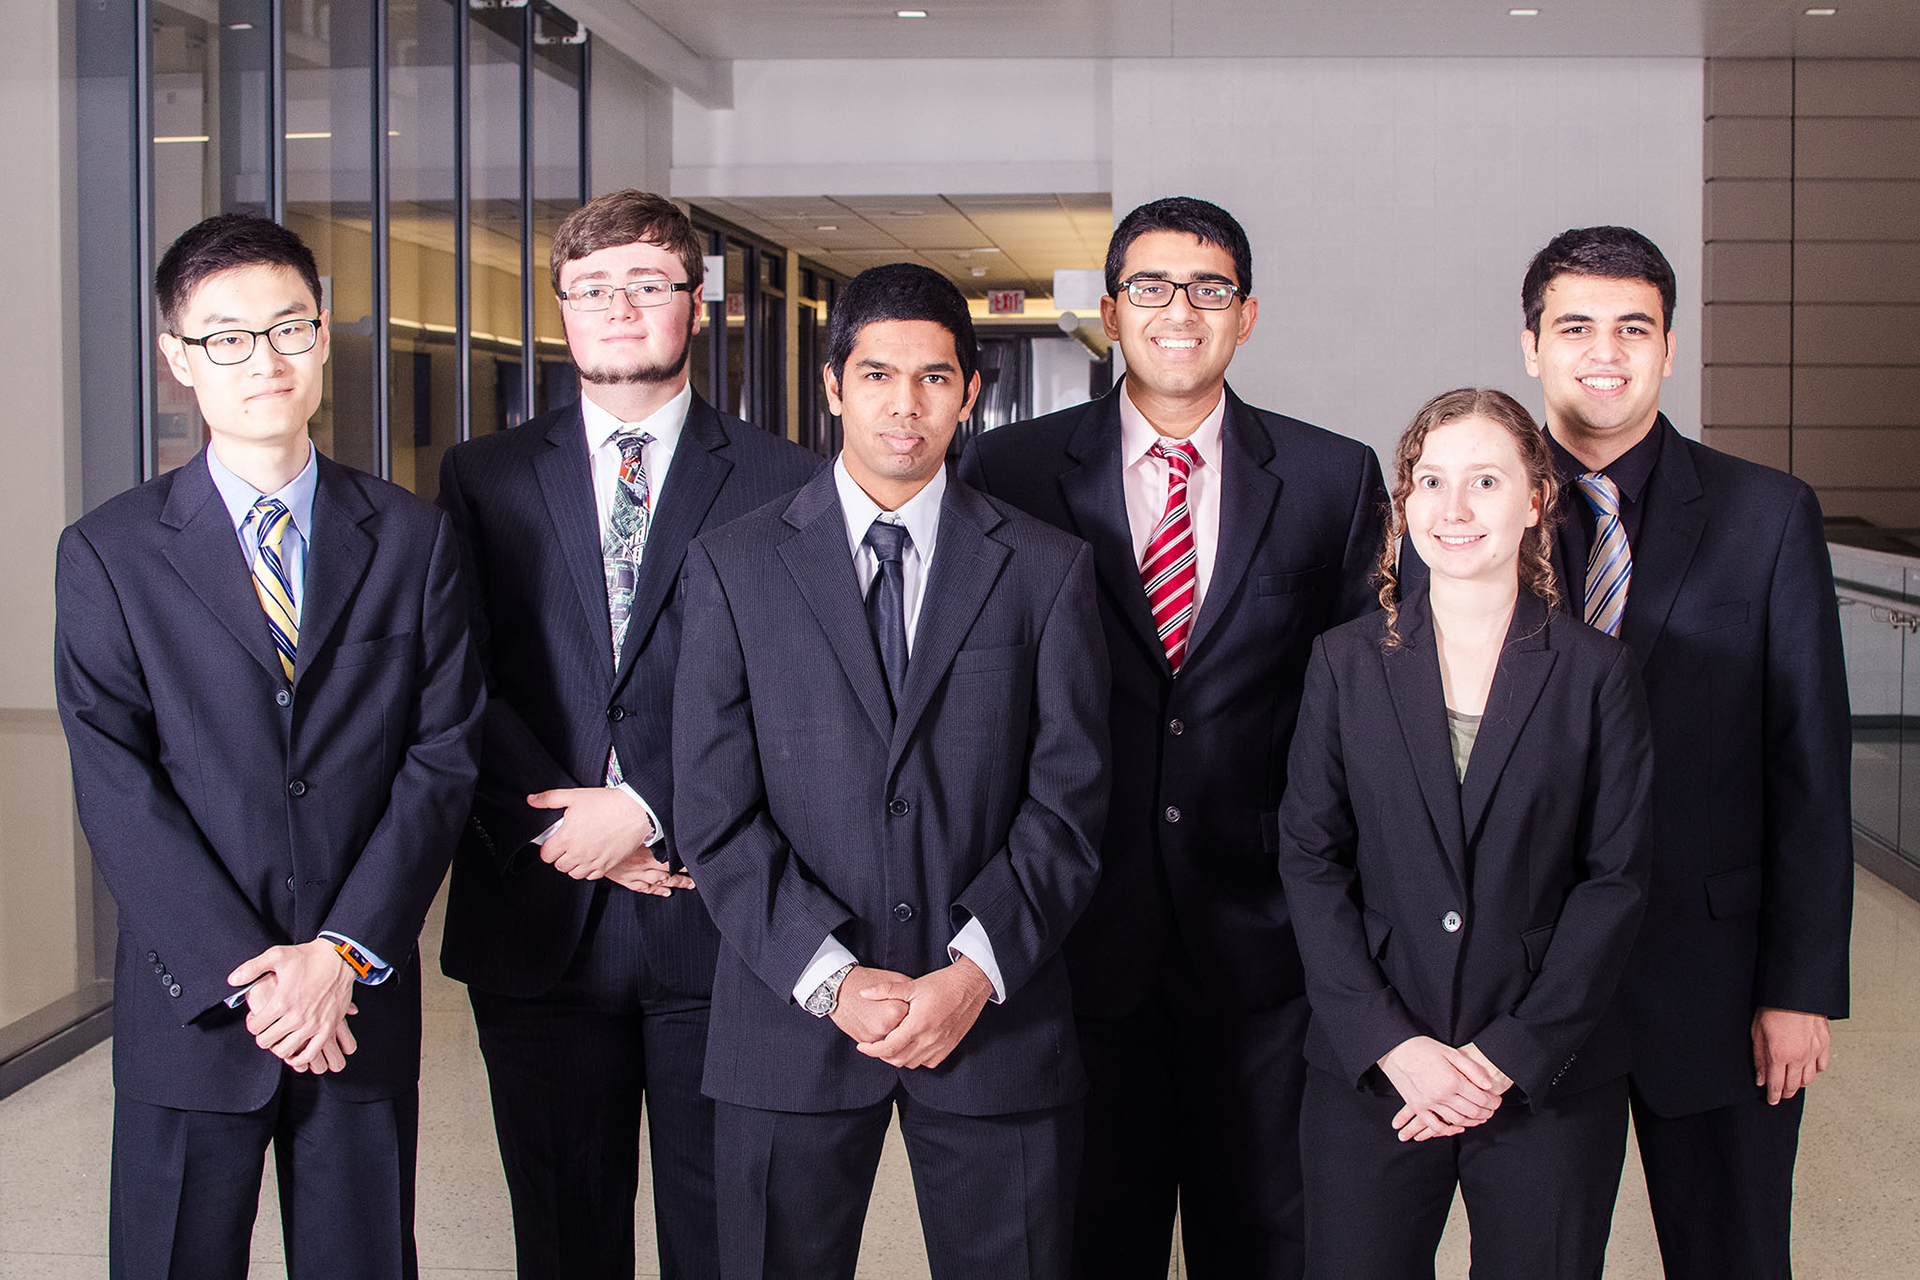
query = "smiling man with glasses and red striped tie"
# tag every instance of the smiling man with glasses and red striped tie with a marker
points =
(1226, 540)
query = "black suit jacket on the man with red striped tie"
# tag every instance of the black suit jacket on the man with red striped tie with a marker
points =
(1201, 761)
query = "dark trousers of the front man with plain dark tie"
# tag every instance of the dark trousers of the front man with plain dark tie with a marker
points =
(994, 1191)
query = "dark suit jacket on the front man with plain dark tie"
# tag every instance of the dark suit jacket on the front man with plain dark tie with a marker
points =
(807, 807)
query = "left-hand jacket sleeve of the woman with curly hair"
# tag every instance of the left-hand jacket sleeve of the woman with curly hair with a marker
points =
(1355, 1005)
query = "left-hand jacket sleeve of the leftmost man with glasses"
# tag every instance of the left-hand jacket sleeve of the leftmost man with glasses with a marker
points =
(164, 876)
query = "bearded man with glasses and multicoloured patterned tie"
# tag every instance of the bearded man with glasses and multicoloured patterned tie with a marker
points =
(585, 945)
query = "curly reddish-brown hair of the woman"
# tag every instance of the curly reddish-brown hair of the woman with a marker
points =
(1537, 546)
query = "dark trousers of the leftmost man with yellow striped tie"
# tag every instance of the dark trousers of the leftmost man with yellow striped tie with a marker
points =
(185, 1185)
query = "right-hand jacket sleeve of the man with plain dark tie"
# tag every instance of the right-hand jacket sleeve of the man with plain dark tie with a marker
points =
(1032, 891)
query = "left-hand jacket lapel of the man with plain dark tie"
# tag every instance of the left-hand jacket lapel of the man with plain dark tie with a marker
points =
(823, 569)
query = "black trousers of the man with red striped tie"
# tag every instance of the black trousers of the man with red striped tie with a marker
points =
(1195, 1110)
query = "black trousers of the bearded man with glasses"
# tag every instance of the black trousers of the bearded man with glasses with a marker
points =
(571, 1072)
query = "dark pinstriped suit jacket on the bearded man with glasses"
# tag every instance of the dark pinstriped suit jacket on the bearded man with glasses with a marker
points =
(523, 506)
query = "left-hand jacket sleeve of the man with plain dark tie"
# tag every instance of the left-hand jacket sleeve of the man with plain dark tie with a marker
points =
(750, 878)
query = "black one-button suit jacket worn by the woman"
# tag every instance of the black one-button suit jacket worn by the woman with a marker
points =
(1539, 859)
